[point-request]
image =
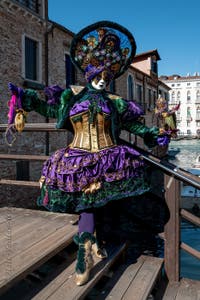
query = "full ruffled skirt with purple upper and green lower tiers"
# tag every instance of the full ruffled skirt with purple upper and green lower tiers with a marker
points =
(119, 171)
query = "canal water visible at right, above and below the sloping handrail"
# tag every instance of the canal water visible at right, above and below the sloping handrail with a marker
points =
(190, 234)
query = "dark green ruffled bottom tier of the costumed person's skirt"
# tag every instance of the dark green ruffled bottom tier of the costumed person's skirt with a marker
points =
(60, 201)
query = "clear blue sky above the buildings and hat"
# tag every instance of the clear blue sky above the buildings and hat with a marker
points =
(172, 27)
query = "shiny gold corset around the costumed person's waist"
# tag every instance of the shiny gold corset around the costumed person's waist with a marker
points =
(92, 137)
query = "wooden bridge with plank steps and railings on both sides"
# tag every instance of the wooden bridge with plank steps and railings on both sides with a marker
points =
(38, 255)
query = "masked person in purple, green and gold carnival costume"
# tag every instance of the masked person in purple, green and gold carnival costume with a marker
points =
(95, 168)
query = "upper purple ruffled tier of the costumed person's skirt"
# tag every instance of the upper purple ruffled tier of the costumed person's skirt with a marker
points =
(71, 170)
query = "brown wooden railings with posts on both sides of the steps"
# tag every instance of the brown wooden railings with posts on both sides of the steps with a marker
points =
(172, 178)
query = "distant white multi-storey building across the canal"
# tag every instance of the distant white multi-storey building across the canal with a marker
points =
(186, 90)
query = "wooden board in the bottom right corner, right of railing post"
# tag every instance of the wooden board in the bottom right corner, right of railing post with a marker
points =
(188, 290)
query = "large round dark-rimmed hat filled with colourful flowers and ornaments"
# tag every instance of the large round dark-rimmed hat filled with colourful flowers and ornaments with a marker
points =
(103, 46)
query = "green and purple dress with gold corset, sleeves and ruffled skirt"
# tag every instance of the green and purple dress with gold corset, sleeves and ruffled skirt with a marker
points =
(95, 168)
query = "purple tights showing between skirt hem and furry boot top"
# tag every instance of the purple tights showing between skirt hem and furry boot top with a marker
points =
(86, 223)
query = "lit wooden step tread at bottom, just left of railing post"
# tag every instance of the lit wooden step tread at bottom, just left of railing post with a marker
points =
(141, 282)
